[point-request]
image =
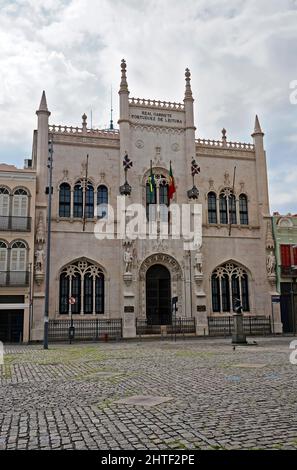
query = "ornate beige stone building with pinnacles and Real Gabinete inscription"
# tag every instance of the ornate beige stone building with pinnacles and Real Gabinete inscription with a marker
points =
(116, 278)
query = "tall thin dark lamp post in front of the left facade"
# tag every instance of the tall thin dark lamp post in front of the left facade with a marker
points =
(48, 244)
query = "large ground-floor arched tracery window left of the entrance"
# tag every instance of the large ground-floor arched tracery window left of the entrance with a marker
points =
(85, 282)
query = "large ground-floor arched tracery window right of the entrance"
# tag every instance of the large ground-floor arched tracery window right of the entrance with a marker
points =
(229, 282)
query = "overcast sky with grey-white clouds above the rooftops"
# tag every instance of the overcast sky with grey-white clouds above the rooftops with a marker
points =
(242, 55)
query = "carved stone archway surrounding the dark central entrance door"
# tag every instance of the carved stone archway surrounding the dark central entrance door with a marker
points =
(176, 280)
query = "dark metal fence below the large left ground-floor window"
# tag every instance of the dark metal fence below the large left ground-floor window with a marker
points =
(92, 330)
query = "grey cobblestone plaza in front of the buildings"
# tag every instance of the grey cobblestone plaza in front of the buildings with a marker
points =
(188, 394)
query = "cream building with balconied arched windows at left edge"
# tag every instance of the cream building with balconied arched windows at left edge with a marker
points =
(17, 210)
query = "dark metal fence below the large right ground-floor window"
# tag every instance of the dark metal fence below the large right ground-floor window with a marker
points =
(224, 326)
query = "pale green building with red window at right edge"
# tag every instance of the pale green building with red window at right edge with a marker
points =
(285, 234)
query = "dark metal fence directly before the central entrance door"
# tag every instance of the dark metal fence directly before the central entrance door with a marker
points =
(178, 326)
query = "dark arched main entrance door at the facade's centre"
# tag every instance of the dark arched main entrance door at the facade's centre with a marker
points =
(158, 295)
